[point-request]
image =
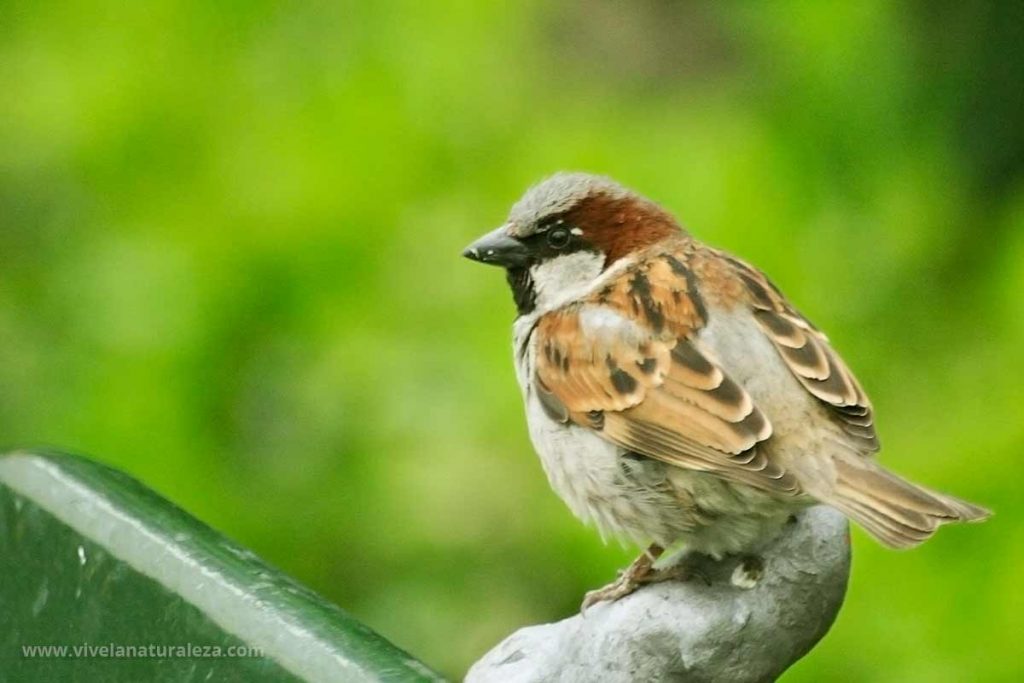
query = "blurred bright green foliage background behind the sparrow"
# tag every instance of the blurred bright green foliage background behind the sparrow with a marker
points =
(230, 239)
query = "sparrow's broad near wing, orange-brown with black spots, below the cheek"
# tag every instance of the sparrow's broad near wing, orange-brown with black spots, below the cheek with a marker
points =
(623, 363)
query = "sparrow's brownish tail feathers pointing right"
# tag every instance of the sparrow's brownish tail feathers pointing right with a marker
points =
(899, 514)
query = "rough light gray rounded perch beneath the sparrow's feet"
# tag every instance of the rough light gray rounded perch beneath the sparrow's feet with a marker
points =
(696, 630)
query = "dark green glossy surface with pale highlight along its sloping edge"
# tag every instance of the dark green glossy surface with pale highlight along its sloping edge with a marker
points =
(91, 558)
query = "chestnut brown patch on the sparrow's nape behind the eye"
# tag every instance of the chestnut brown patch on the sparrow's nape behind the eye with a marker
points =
(621, 226)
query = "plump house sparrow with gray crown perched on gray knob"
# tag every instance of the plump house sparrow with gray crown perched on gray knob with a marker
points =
(674, 395)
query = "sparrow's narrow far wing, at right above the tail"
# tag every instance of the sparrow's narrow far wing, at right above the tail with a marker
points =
(807, 354)
